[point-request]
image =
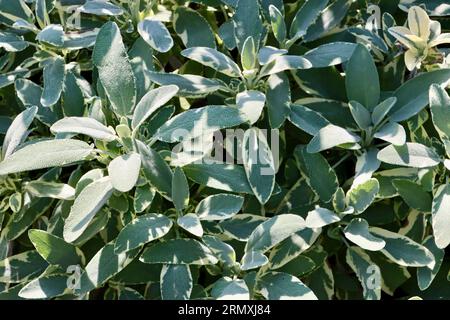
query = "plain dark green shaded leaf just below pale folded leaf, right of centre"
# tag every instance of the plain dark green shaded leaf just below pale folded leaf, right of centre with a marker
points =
(318, 173)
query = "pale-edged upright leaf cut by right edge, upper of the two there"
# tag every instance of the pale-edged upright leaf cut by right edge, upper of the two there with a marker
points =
(440, 110)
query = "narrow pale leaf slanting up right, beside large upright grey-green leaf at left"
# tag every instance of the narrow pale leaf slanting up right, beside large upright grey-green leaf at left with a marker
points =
(151, 102)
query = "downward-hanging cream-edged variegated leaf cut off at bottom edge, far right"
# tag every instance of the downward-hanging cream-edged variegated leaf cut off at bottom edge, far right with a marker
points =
(361, 264)
